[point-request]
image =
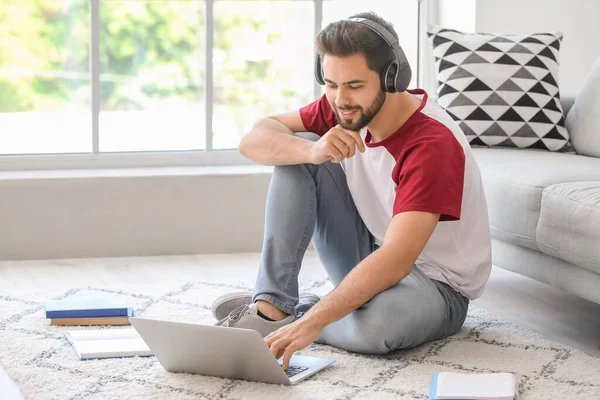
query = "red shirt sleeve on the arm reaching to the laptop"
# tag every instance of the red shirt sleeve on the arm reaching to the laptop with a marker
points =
(430, 176)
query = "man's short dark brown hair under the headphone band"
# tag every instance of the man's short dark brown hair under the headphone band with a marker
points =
(345, 38)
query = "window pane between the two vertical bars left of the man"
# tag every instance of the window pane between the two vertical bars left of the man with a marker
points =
(151, 75)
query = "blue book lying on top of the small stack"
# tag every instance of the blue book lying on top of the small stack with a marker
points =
(82, 308)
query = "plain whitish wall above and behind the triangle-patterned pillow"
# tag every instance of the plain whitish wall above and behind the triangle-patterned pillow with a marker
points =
(579, 20)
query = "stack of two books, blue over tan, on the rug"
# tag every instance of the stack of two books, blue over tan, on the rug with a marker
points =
(94, 311)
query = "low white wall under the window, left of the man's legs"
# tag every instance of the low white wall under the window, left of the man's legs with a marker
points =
(112, 213)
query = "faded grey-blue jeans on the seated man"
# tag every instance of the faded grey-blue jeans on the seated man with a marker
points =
(313, 202)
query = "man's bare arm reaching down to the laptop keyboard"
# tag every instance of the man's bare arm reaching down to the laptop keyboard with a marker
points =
(404, 241)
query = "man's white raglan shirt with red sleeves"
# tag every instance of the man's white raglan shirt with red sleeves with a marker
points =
(427, 165)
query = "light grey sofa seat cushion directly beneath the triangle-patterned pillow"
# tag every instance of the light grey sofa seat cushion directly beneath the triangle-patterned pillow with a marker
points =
(514, 180)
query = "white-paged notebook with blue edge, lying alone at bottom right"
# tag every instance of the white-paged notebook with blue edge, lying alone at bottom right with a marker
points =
(473, 386)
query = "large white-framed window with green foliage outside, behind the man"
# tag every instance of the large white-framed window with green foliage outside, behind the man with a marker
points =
(129, 77)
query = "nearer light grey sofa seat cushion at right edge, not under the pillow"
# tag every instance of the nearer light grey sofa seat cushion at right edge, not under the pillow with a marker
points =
(569, 225)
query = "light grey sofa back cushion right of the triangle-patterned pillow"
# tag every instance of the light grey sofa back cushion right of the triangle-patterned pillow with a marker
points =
(583, 119)
